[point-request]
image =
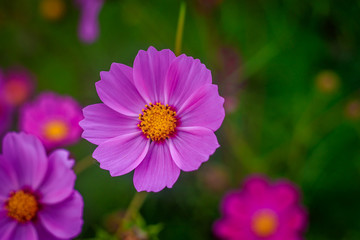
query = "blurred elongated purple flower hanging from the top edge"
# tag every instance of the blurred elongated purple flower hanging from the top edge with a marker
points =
(88, 30)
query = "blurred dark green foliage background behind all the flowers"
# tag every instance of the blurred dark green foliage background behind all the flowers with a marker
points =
(288, 69)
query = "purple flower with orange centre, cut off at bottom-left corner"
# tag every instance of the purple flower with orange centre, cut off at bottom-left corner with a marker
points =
(37, 196)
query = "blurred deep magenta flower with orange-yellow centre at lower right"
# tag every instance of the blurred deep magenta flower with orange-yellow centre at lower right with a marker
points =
(262, 211)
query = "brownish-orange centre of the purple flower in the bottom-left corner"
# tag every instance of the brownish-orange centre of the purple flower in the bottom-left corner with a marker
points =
(22, 206)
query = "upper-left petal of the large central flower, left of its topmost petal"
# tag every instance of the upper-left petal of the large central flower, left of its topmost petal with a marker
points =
(116, 89)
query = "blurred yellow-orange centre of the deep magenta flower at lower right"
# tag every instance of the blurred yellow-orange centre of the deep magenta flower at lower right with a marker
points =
(264, 223)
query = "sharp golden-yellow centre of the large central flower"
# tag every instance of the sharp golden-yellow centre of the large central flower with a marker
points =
(158, 121)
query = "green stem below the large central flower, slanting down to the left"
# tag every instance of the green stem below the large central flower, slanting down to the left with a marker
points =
(132, 211)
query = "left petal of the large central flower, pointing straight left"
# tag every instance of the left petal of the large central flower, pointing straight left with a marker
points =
(101, 123)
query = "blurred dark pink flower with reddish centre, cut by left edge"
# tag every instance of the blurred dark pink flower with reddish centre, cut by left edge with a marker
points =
(16, 86)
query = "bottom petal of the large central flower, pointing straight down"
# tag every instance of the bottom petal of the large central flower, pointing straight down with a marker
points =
(157, 171)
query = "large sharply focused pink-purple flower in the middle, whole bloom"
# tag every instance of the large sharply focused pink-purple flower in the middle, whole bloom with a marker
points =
(157, 118)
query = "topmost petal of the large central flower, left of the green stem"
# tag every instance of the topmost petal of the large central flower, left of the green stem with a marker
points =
(150, 68)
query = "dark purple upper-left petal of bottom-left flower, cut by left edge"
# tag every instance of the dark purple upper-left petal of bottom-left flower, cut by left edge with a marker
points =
(8, 180)
